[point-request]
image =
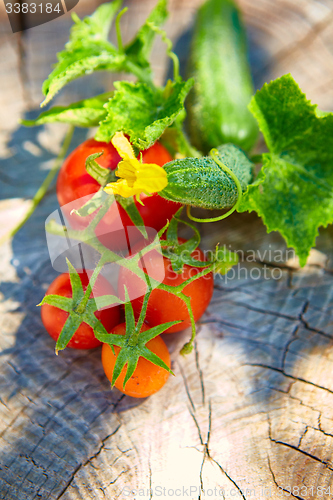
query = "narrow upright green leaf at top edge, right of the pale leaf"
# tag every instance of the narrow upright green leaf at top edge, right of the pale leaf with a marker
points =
(139, 48)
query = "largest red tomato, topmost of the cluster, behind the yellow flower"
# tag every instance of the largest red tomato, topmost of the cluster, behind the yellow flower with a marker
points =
(74, 183)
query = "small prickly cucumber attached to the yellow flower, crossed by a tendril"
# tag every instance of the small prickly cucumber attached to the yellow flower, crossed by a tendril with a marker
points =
(201, 182)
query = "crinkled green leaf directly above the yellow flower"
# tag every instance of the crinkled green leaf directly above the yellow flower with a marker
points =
(141, 112)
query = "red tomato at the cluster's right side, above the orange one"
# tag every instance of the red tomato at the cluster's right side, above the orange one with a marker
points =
(162, 305)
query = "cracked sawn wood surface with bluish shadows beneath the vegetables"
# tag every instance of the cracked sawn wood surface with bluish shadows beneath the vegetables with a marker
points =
(250, 411)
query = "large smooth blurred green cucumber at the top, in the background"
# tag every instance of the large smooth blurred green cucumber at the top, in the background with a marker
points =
(217, 104)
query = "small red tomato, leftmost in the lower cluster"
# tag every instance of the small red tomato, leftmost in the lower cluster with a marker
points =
(54, 318)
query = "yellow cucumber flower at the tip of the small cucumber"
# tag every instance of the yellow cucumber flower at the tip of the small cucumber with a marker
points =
(135, 177)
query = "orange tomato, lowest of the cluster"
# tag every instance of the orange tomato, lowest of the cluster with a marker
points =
(147, 377)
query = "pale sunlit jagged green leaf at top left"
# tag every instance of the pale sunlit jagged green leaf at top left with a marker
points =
(88, 50)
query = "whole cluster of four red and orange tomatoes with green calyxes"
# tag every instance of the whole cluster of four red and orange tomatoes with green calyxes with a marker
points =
(179, 300)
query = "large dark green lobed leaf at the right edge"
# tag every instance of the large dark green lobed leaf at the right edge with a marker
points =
(293, 191)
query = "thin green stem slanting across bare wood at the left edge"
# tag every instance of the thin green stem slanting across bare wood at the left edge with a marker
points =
(44, 186)
